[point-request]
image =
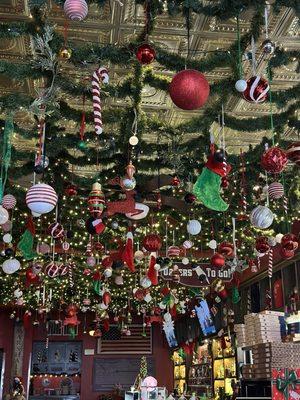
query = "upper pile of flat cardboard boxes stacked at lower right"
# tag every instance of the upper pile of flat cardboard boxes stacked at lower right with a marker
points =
(264, 327)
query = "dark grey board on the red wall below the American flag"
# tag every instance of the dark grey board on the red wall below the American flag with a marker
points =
(109, 372)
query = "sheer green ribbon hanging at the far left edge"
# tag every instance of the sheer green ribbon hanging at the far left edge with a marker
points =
(6, 153)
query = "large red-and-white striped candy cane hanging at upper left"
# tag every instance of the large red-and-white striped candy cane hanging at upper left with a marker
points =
(100, 75)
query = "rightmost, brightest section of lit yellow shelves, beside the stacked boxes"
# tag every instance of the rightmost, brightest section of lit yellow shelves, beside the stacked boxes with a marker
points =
(224, 366)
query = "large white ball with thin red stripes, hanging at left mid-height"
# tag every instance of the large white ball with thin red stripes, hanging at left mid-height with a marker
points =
(41, 198)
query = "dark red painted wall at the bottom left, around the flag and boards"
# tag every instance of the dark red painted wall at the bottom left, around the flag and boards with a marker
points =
(161, 354)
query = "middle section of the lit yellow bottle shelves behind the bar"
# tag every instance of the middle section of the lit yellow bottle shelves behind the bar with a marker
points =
(200, 372)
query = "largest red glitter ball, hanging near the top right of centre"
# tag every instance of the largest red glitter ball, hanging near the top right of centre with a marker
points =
(189, 89)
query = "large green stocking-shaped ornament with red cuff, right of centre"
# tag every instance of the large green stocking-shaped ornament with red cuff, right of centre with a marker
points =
(207, 186)
